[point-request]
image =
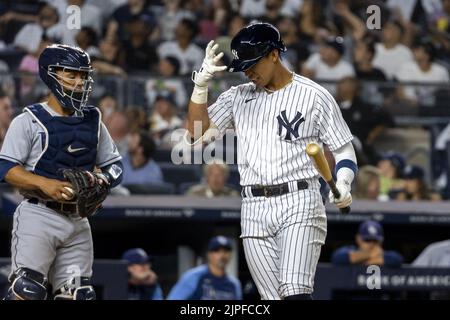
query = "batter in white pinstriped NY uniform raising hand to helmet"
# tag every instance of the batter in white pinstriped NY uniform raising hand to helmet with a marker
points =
(275, 116)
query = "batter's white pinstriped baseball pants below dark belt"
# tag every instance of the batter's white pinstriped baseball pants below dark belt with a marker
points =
(282, 238)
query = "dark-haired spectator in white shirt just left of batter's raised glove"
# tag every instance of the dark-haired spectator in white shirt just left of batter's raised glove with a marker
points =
(183, 48)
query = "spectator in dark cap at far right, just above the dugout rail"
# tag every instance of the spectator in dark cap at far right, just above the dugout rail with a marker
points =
(416, 188)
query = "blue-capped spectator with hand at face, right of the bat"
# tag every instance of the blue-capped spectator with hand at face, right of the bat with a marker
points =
(391, 167)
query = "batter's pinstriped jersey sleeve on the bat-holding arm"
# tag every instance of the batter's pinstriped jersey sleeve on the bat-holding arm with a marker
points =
(333, 130)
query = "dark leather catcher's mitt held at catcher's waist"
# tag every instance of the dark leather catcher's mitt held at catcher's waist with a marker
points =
(89, 193)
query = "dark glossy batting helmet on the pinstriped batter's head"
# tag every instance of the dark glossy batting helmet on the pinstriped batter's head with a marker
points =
(252, 43)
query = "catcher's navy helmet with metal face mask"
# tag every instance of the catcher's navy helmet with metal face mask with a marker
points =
(65, 57)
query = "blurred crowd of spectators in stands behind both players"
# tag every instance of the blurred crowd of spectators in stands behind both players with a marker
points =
(399, 67)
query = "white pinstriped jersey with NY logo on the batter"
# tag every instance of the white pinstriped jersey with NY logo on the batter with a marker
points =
(273, 129)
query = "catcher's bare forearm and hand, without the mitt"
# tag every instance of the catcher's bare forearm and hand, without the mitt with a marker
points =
(17, 176)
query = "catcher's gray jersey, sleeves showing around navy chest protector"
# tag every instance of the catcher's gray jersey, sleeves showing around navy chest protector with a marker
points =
(23, 142)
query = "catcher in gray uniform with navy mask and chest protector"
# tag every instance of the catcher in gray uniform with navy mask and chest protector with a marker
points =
(50, 153)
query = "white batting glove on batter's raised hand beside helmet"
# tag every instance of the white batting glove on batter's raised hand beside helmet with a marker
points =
(209, 65)
